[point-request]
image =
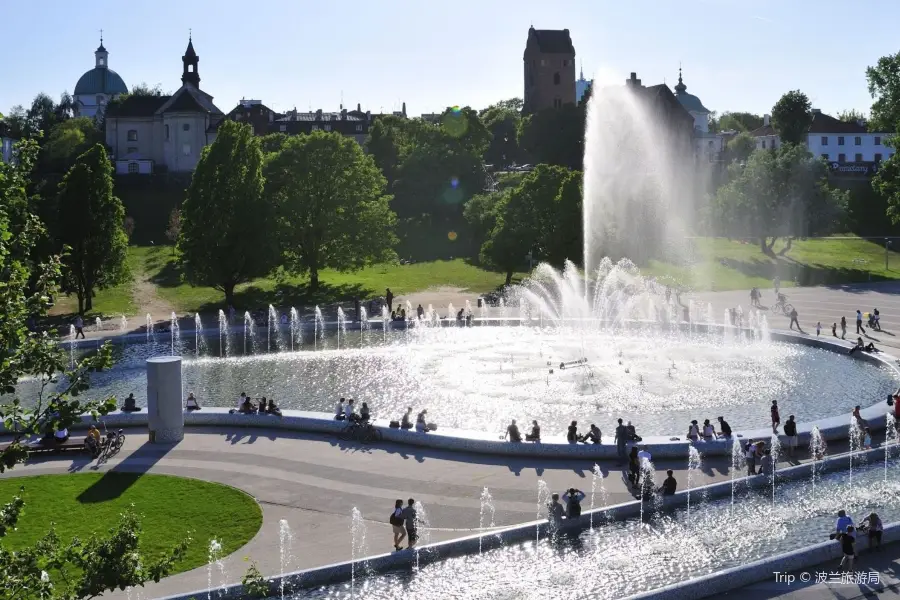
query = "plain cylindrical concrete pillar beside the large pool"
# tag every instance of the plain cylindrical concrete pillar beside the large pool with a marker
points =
(164, 405)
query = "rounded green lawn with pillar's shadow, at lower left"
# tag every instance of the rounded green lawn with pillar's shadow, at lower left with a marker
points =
(171, 508)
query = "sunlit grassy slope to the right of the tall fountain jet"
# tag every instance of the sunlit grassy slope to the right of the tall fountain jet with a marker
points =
(720, 264)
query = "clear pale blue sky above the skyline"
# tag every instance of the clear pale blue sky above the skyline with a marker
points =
(737, 54)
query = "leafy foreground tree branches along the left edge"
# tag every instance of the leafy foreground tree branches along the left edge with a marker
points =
(51, 569)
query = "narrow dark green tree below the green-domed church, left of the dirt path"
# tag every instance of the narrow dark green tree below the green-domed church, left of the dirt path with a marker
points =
(90, 228)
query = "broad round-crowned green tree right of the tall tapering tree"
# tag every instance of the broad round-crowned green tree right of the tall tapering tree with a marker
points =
(331, 206)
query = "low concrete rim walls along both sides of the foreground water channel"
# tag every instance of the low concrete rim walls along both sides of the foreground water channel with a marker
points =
(719, 582)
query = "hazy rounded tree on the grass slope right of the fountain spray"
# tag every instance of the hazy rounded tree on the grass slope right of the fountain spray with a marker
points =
(780, 193)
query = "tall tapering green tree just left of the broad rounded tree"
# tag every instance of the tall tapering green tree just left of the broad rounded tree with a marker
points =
(227, 228)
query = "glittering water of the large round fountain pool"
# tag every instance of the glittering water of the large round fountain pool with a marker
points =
(481, 377)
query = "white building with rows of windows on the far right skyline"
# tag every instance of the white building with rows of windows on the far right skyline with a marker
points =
(848, 147)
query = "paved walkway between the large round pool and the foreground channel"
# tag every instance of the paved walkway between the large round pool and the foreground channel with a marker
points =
(313, 482)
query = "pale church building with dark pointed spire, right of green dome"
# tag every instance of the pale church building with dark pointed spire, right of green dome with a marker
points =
(145, 132)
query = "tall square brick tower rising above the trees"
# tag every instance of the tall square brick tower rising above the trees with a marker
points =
(549, 70)
